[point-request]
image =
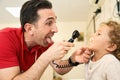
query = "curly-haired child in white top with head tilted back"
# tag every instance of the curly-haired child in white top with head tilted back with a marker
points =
(105, 44)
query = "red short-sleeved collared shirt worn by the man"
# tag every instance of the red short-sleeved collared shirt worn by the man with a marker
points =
(14, 52)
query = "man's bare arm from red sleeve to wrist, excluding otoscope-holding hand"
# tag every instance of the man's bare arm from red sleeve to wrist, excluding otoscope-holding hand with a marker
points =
(33, 73)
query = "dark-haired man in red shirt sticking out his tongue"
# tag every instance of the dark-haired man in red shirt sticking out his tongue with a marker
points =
(26, 52)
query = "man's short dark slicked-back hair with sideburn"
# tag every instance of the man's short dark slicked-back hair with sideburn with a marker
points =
(28, 13)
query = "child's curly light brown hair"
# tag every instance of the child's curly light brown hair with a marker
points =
(114, 35)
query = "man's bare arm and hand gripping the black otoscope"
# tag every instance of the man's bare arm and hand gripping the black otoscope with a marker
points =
(55, 52)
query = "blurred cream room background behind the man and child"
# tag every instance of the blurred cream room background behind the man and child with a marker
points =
(82, 15)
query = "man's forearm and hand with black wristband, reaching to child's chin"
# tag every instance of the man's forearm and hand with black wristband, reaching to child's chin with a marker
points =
(81, 55)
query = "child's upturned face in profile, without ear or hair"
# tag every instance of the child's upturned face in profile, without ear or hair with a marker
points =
(100, 40)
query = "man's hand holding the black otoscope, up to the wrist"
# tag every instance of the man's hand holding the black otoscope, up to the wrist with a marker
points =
(58, 50)
